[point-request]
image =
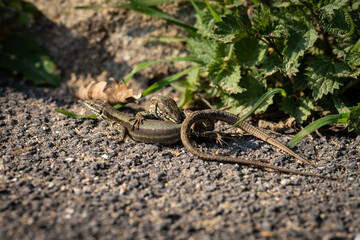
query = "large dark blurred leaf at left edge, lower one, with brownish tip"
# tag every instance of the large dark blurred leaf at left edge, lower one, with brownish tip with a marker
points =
(26, 57)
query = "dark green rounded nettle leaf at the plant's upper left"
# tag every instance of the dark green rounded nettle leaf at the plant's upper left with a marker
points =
(230, 29)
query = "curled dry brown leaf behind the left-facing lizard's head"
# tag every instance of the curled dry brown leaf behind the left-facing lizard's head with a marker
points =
(110, 91)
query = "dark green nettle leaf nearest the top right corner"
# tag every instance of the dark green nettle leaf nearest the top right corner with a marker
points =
(339, 24)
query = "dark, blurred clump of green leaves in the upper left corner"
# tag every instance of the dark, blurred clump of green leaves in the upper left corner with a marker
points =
(21, 55)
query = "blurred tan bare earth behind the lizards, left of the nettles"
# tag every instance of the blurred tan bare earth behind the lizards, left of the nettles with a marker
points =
(98, 44)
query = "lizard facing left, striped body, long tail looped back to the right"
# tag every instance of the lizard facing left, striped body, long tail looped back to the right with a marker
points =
(168, 132)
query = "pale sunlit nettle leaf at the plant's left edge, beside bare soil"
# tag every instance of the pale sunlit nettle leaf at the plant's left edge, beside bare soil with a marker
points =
(202, 49)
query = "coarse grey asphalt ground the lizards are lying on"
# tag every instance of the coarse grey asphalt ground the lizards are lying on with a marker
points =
(64, 178)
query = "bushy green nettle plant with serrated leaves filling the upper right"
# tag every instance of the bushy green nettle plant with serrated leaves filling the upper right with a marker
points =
(308, 48)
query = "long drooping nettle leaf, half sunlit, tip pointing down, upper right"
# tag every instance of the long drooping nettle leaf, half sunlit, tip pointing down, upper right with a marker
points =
(299, 41)
